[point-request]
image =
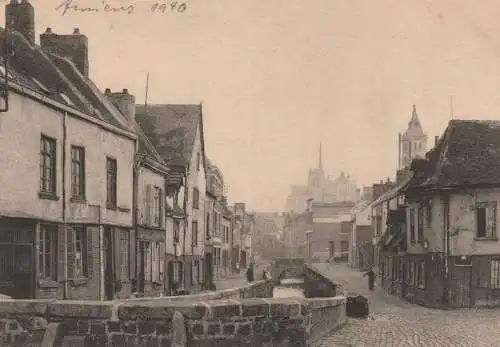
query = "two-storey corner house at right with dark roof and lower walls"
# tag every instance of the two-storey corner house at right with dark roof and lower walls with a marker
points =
(450, 222)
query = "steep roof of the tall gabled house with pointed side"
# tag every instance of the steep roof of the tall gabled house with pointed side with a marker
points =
(171, 129)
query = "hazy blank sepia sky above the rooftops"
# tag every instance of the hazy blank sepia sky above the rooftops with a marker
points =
(277, 77)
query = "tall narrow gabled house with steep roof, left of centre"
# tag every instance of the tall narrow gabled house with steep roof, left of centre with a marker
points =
(176, 132)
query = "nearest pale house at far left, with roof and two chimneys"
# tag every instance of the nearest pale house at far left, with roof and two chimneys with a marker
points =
(66, 208)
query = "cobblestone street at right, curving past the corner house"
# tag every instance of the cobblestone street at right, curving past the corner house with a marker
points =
(396, 323)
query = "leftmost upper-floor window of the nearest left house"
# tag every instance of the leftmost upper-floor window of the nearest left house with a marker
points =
(48, 173)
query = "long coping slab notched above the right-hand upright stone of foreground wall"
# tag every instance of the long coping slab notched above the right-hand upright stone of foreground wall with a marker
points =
(135, 311)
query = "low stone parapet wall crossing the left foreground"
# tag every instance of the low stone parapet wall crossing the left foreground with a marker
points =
(233, 317)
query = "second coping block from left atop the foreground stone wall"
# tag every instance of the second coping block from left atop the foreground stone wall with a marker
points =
(87, 309)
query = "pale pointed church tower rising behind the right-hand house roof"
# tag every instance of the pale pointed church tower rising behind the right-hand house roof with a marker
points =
(412, 143)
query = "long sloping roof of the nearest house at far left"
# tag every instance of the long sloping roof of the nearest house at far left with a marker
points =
(58, 79)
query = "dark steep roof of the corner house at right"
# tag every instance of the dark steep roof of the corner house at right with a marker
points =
(468, 154)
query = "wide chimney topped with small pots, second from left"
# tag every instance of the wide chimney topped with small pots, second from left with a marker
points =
(74, 47)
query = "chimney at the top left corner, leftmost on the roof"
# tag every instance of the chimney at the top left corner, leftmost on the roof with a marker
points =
(20, 17)
